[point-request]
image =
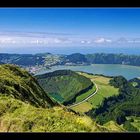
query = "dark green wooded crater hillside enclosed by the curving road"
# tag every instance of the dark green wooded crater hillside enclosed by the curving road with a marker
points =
(64, 85)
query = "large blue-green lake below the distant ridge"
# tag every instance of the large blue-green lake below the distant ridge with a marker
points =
(127, 71)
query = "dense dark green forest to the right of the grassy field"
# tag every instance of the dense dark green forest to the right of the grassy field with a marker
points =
(117, 108)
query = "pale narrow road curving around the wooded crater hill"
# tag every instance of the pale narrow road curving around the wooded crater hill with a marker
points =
(69, 106)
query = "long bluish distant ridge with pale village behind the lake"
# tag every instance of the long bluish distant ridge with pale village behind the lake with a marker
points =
(48, 59)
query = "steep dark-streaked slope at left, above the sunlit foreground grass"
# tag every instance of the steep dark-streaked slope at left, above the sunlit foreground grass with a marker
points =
(21, 85)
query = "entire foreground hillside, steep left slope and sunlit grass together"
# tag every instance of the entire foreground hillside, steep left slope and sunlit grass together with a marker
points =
(22, 103)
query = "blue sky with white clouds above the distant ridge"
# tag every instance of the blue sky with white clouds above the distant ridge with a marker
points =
(26, 30)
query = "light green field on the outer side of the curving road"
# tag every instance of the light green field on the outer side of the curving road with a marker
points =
(104, 91)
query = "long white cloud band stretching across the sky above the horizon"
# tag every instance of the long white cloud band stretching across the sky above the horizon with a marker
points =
(52, 39)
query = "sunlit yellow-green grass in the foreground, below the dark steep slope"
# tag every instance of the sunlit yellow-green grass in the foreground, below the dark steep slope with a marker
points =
(17, 116)
